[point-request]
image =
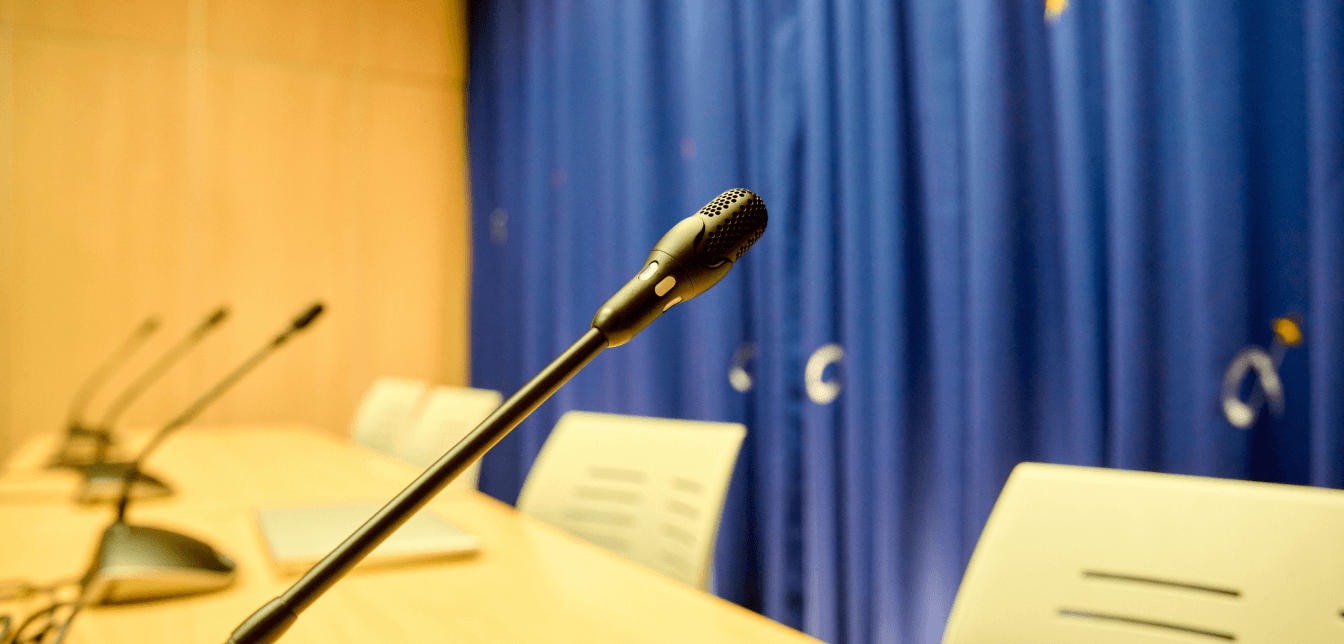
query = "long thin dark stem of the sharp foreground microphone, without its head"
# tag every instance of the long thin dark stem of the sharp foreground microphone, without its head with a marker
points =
(272, 620)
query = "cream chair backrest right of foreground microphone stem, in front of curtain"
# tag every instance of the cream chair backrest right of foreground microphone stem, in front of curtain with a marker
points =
(650, 490)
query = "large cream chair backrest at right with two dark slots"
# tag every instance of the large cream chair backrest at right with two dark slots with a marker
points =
(1107, 557)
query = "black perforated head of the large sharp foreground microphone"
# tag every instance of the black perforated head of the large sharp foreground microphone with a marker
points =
(690, 259)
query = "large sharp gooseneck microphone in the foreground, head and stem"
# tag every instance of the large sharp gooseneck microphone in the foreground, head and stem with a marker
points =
(690, 259)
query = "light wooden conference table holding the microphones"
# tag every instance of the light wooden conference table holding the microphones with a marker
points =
(530, 583)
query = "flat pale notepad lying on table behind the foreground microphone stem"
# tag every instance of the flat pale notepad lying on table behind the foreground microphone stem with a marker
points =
(299, 537)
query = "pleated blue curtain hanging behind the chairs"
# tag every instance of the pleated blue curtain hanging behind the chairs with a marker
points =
(995, 237)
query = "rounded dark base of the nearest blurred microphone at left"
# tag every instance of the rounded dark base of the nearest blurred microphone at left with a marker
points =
(142, 564)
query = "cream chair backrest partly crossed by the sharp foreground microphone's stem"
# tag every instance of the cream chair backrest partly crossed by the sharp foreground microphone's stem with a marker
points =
(448, 415)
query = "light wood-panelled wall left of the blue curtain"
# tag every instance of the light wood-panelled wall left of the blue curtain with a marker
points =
(167, 157)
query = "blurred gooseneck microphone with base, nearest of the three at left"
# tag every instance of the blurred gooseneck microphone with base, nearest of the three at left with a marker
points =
(138, 563)
